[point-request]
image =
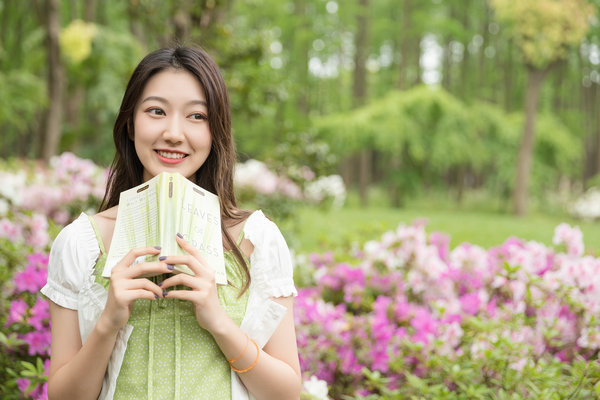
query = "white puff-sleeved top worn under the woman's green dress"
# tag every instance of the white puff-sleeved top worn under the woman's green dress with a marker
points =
(71, 284)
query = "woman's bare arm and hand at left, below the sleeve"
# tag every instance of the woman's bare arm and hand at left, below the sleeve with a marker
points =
(76, 371)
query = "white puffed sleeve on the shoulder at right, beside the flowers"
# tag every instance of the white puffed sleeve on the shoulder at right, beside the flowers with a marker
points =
(271, 266)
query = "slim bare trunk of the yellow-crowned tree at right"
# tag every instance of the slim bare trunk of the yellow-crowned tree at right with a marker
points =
(535, 78)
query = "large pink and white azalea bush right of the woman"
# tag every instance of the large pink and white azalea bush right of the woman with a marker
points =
(408, 299)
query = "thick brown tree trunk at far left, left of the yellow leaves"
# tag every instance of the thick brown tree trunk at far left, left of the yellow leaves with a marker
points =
(53, 118)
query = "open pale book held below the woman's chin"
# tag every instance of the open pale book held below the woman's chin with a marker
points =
(152, 213)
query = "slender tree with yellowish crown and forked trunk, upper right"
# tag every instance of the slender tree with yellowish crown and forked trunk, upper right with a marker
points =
(544, 30)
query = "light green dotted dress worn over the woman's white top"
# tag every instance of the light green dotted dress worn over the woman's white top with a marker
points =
(169, 356)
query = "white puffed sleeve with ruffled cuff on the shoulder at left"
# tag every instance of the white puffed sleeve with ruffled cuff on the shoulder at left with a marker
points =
(72, 259)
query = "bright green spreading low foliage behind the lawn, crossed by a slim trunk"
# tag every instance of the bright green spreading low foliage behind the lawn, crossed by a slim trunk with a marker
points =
(432, 134)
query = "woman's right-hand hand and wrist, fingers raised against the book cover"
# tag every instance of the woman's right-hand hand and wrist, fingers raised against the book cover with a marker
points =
(203, 293)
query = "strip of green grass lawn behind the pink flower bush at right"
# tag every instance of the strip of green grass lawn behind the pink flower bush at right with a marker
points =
(317, 230)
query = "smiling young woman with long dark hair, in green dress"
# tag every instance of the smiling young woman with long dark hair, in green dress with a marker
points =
(173, 336)
